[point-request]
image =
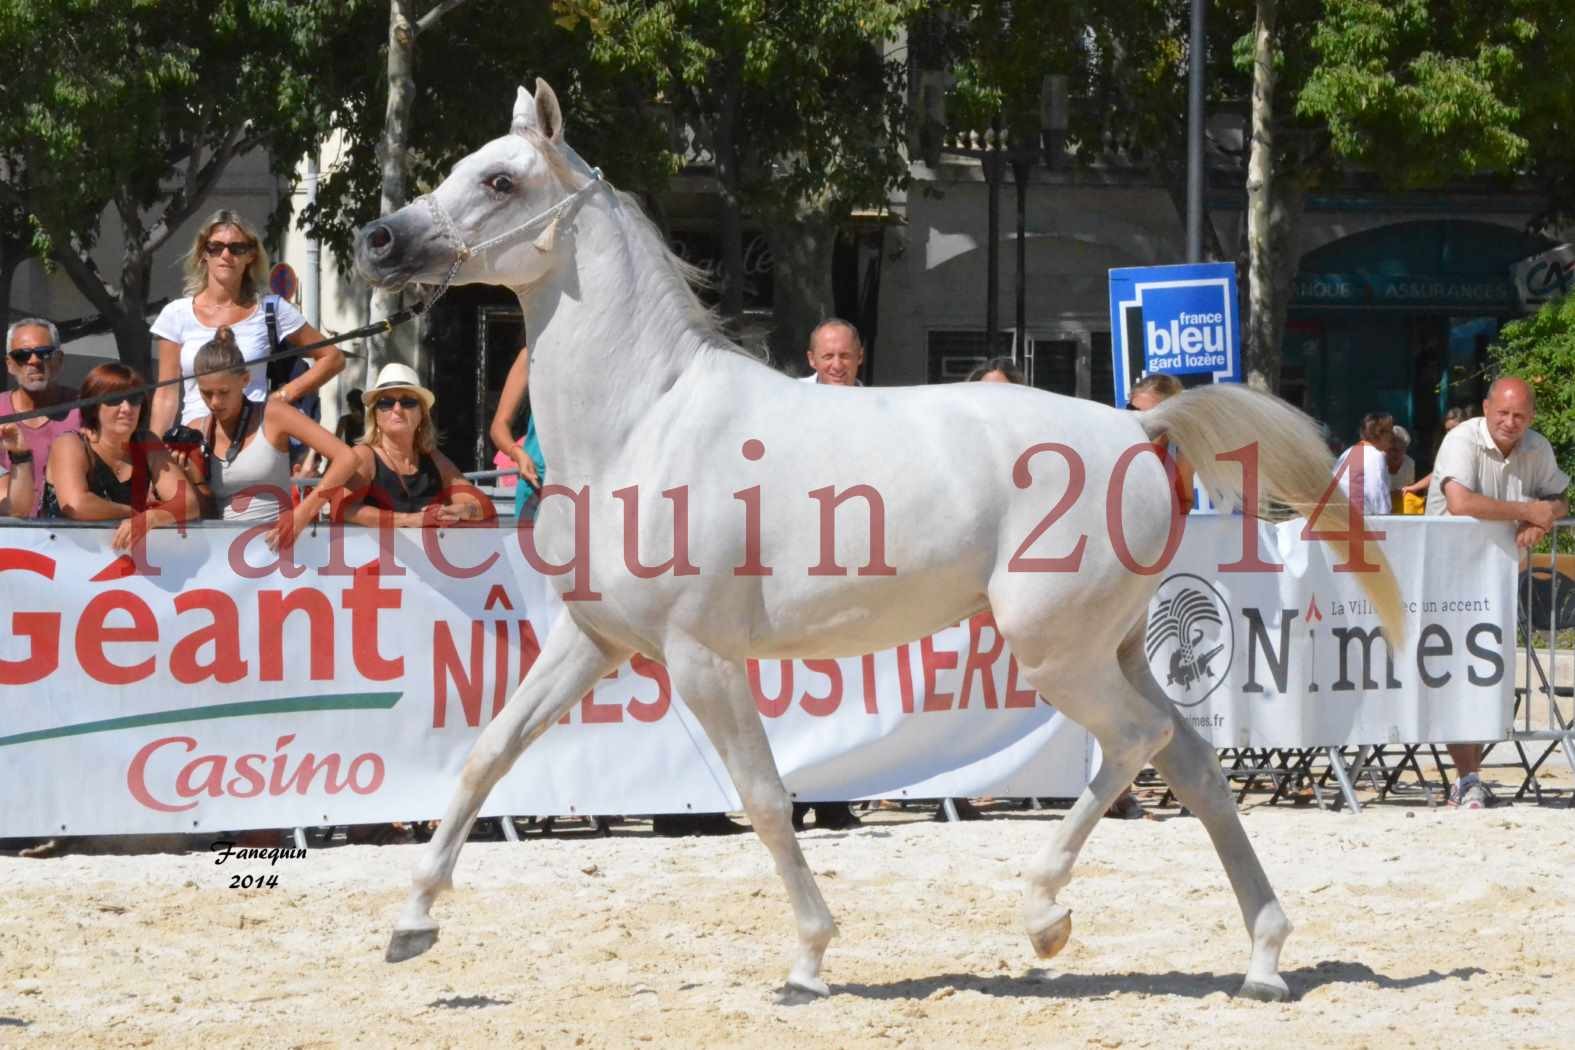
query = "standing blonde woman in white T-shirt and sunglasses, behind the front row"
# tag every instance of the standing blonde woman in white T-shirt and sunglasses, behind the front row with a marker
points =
(226, 283)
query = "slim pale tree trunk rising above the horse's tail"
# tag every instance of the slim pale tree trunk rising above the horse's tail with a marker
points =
(1266, 305)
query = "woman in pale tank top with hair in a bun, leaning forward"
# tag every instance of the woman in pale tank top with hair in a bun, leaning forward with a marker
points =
(245, 470)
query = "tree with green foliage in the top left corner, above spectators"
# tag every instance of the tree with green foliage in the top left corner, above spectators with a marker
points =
(136, 111)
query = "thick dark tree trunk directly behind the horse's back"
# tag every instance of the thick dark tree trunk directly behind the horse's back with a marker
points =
(801, 281)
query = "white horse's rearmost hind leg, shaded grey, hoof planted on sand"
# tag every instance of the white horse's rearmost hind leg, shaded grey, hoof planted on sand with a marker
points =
(1191, 769)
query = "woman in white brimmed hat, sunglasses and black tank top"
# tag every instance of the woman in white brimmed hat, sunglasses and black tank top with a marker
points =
(401, 470)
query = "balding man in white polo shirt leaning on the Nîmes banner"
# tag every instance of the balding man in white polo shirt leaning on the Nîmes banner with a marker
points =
(1499, 470)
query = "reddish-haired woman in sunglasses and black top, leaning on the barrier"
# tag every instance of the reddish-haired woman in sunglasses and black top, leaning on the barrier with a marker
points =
(116, 470)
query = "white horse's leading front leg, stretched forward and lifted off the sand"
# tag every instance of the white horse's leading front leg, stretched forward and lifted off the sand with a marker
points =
(571, 664)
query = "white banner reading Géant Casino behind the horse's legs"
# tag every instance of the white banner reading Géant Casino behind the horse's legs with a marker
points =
(231, 693)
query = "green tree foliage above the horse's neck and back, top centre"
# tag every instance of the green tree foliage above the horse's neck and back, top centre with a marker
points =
(795, 103)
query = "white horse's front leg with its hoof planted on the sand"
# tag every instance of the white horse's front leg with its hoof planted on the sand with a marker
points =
(717, 692)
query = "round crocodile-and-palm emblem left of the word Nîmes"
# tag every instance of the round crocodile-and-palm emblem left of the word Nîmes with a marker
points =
(1190, 638)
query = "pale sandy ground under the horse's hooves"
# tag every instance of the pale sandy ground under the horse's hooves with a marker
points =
(1417, 926)
